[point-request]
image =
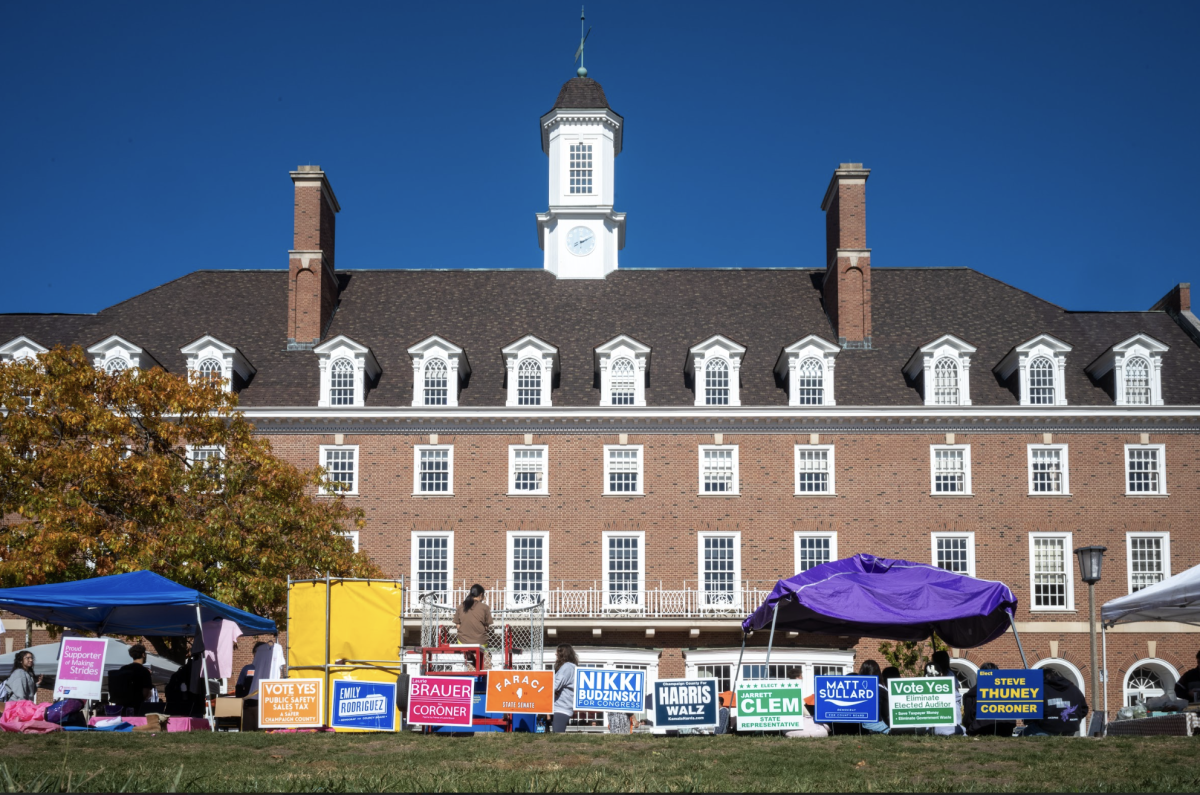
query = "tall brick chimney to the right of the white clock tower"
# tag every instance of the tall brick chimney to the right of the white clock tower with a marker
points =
(848, 283)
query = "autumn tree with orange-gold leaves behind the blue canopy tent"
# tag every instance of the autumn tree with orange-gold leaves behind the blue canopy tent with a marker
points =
(146, 470)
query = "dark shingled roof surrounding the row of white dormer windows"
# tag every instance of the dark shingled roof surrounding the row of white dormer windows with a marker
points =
(668, 310)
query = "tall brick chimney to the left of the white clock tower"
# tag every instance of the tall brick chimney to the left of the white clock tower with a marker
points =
(313, 284)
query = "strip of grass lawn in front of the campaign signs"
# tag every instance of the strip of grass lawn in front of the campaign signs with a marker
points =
(76, 762)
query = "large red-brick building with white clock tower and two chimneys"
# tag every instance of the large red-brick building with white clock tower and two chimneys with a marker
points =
(649, 451)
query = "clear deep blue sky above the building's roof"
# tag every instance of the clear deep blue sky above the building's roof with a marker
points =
(1049, 145)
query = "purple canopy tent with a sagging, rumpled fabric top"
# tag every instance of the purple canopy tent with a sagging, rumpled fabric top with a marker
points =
(887, 599)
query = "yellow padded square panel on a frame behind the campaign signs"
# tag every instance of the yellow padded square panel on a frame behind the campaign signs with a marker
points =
(341, 629)
